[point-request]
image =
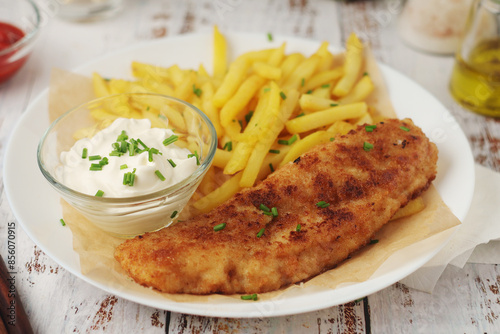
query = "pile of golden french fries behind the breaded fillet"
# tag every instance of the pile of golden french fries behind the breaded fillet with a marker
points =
(268, 107)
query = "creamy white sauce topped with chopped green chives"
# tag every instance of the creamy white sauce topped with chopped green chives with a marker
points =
(128, 158)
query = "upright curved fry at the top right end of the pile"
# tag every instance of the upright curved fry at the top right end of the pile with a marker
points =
(352, 66)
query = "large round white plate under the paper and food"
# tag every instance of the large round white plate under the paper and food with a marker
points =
(37, 208)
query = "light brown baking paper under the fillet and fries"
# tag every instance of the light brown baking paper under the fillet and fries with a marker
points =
(95, 247)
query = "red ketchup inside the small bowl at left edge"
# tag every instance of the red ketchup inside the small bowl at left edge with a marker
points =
(9, 35)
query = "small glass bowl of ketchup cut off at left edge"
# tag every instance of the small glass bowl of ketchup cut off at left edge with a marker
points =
(19, 25)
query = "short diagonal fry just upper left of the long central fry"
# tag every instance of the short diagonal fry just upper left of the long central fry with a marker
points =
(240, 99)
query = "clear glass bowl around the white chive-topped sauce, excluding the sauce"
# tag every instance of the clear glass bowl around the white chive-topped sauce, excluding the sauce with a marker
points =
(137, 214)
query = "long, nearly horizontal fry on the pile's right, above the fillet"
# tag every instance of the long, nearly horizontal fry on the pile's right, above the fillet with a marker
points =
(325, 117)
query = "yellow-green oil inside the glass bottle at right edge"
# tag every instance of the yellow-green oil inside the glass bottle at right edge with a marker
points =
(475, 81)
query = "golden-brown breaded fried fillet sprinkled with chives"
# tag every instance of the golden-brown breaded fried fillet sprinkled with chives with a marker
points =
(329, 203)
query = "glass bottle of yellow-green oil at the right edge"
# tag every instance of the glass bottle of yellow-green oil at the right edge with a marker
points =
(475, 80)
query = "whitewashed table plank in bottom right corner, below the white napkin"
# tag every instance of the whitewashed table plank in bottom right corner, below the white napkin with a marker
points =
(464, 301)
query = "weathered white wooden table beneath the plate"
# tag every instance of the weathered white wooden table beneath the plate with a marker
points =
(465, 300)
